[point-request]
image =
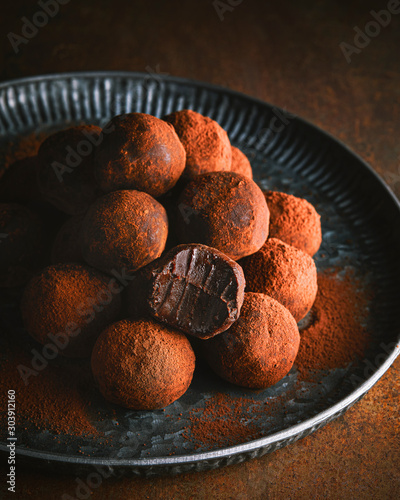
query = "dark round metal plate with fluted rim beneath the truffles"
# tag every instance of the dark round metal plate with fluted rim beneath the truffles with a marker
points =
(361, 229)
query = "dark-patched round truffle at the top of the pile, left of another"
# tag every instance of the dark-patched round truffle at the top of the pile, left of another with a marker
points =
(139, 152)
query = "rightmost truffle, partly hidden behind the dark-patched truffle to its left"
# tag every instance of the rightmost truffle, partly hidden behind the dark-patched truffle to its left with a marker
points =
(294, 221)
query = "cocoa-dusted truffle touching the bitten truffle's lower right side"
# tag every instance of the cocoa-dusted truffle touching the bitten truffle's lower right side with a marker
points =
(259, 349)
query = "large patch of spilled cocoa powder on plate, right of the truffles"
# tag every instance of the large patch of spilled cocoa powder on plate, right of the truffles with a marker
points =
(336, 335)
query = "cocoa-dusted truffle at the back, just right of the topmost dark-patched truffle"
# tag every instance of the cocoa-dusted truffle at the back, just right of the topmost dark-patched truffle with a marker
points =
(206, 143)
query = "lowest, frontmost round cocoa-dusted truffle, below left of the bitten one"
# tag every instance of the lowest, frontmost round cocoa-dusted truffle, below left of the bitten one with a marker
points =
(142, 365)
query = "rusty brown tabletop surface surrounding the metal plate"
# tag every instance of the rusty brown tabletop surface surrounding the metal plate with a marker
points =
(286, 53)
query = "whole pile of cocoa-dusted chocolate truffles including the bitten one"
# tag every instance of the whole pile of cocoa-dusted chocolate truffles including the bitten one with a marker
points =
(146, 241)
